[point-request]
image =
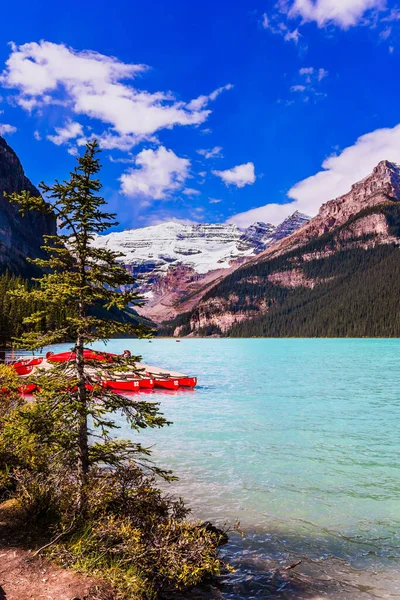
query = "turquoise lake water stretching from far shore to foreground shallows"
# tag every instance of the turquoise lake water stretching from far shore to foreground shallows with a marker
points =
(300, 441)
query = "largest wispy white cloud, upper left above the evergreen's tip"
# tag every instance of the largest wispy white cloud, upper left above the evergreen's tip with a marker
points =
(98, 86)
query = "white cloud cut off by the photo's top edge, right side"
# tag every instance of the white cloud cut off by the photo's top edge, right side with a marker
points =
(343, 13)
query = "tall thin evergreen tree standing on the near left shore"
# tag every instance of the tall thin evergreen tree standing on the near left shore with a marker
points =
(77, 277)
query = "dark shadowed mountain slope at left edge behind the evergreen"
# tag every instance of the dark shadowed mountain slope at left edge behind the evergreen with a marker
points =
(20, 237)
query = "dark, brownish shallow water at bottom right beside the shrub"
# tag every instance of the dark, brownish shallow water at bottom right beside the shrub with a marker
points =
(337, 568)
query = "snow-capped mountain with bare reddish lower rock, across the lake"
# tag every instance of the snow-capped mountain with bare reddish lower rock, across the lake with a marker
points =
(173, 261)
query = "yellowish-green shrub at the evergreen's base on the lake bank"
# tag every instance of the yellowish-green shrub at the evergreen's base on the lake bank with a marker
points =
(131, 535)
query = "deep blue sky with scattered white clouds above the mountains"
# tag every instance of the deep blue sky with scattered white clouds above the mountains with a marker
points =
(206, 112)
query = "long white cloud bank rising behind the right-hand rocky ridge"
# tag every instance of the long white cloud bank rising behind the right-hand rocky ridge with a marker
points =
(338, 174)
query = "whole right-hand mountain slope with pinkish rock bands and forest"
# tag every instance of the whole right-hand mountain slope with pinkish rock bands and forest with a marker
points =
(338, 275)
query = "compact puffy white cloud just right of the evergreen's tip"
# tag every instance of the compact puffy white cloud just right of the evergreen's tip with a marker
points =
(157, 174)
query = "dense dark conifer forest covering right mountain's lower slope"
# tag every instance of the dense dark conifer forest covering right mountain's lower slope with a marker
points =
(363, 301)
